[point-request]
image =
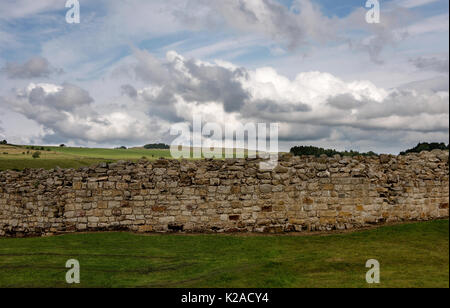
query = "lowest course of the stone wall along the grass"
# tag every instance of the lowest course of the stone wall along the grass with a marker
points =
(10, 232)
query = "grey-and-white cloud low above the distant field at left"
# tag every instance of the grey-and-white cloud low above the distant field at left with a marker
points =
(66, 112)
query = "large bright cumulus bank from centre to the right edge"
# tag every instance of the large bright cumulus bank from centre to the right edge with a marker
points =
(313, 106)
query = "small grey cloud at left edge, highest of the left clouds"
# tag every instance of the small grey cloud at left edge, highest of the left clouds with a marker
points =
(37, 67)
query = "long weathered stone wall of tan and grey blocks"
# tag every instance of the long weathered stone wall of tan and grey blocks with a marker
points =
(301, 194)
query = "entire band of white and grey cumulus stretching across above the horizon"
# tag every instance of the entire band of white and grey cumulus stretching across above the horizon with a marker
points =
(313, 107)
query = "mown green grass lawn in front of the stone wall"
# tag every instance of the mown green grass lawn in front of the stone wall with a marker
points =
(411, 255)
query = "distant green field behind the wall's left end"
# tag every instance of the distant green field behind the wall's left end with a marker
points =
(17, 158)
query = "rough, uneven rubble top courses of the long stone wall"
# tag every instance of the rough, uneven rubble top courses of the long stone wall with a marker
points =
(355, 166)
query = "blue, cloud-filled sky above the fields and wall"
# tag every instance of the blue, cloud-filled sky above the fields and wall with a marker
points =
(131, 69)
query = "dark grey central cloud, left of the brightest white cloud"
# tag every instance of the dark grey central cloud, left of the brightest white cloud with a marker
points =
(193, 81)
